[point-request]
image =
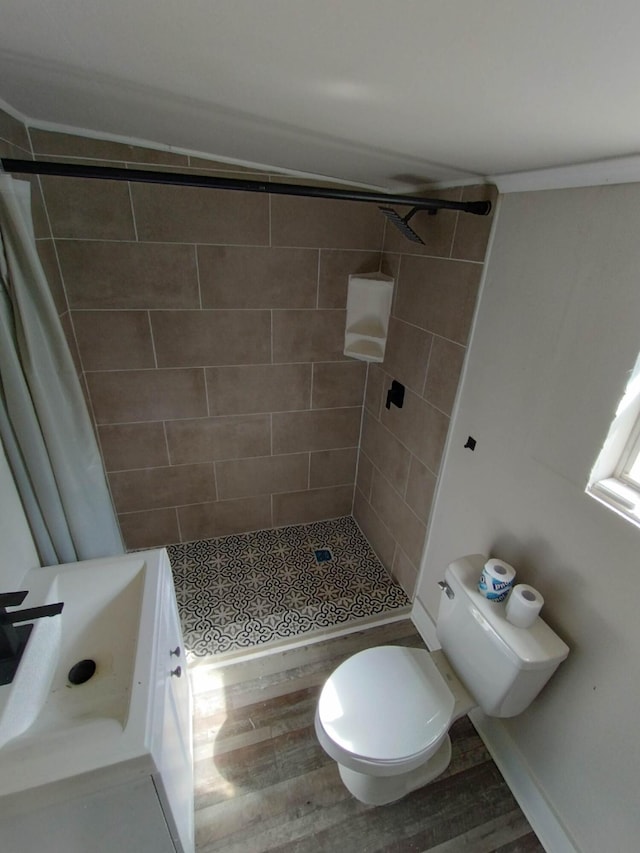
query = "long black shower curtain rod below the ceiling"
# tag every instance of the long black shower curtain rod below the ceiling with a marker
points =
(112, 173)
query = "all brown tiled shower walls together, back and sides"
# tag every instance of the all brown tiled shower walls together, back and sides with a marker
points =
(207, 327)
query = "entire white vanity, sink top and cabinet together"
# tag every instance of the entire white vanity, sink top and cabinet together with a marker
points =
(73, 754)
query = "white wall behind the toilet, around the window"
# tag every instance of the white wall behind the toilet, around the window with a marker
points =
(557, 330)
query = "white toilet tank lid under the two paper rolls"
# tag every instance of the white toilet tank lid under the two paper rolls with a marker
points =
(536, 647)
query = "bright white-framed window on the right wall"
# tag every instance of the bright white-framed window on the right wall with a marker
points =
(615, 478)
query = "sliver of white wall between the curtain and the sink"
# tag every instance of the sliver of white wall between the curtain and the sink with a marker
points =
(17, 551)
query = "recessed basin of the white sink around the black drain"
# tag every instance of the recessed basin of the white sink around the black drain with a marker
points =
(99, 622)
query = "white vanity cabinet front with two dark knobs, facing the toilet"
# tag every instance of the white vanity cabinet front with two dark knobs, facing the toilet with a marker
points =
(175, 781)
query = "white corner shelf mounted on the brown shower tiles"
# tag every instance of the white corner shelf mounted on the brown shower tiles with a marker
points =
(368, 308)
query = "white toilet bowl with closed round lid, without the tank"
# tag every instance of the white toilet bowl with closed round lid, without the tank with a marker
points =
(384, 716)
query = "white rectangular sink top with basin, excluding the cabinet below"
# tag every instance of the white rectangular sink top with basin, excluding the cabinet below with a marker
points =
(110, 616)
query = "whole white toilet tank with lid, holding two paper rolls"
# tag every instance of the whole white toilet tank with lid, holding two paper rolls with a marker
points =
(502, 666)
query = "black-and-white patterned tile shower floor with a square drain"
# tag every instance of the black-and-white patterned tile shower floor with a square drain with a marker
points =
(239, 592)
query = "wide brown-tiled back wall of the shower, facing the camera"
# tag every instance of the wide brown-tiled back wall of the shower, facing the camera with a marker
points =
(209, 329)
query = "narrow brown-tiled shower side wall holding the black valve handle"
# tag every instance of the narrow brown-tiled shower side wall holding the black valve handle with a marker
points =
(401, 449)
